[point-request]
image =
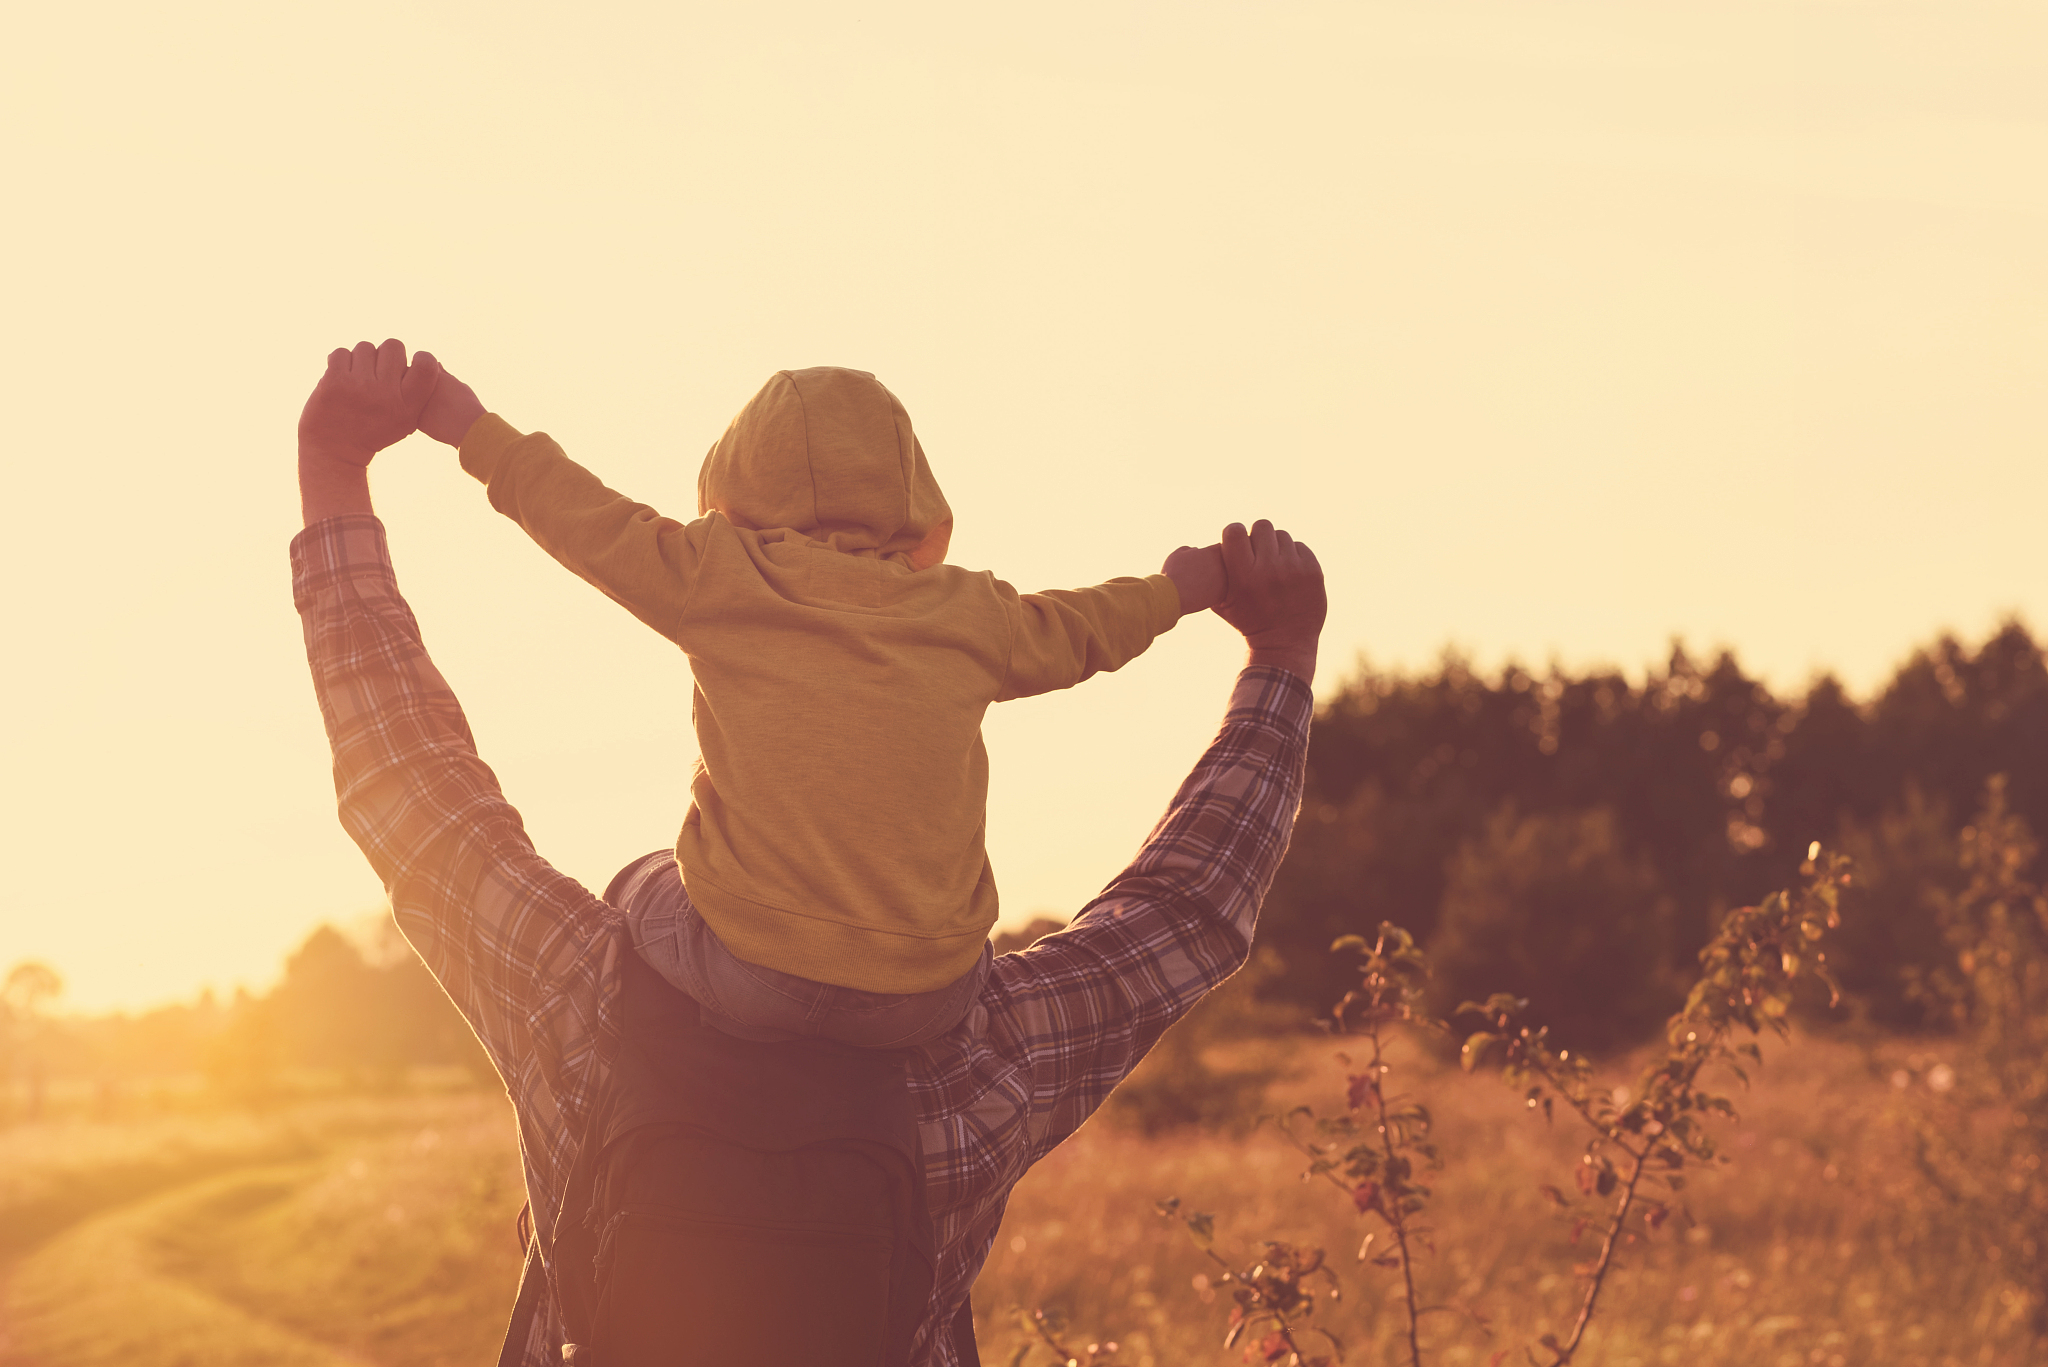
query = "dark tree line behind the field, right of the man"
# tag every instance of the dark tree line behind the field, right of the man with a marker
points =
(1578, 837)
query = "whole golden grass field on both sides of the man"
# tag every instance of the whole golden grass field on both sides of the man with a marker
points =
(380, 1231)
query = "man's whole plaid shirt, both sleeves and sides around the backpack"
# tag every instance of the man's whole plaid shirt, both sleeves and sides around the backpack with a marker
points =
(531, 958)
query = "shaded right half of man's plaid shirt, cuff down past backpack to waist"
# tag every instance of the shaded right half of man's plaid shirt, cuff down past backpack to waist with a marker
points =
(1070, 1018)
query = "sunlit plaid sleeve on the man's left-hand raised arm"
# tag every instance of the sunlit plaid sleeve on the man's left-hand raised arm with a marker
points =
(525, 952)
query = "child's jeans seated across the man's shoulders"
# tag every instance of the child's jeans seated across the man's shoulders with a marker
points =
(761, 1003)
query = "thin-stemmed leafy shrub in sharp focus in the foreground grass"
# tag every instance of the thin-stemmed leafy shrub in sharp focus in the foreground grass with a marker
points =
(1646, 1141)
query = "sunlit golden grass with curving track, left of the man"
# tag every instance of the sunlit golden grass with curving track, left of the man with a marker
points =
(388, 1241)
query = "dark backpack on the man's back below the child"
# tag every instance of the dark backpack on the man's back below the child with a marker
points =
(744, 1204)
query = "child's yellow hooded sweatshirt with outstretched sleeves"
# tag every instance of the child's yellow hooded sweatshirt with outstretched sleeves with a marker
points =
(837, 821)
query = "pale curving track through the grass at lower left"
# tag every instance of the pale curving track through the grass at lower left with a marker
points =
(101, 1294)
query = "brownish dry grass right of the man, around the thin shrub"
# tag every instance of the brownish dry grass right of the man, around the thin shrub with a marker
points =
(1816, 1247)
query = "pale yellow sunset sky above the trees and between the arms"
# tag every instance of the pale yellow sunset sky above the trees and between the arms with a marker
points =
(1558, 331)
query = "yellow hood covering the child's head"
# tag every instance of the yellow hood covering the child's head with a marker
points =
(828, 454)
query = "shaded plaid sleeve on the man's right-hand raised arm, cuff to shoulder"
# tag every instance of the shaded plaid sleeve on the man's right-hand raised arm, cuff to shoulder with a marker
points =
(1082, 1007)
